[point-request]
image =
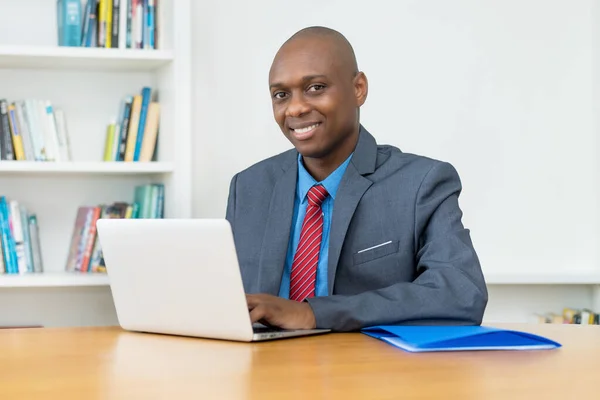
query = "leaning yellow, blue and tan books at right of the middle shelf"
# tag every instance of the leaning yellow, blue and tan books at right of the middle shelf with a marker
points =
(133, 134)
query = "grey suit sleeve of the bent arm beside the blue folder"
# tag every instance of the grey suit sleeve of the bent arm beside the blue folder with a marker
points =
(449, 288)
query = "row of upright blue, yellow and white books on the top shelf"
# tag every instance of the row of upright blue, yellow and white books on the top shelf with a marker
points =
(123, 24)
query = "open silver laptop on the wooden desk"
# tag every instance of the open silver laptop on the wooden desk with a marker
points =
(180, 277)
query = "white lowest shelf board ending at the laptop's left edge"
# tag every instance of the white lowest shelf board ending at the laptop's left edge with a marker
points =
(53, 279)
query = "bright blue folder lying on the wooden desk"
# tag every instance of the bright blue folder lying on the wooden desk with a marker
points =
(458, 338)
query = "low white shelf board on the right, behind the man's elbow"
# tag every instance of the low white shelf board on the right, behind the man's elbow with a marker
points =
(574, 278)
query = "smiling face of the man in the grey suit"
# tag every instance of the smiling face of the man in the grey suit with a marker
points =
(316, 94)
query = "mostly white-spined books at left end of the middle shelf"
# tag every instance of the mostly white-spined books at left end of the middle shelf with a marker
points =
(33, 130)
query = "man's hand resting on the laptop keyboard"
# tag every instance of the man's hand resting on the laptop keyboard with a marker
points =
(275, 311)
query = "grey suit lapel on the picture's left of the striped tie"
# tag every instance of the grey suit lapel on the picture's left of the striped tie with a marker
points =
(277, 234)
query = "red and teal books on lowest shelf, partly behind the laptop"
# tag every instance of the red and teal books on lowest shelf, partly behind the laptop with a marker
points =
(85, 252)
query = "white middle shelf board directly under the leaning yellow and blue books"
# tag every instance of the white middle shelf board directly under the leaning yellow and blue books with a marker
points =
(86, 167)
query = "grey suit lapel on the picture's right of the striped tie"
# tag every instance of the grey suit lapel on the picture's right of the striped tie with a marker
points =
(352, 187)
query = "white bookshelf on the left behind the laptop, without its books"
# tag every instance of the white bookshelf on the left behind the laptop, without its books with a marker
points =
(88, 84)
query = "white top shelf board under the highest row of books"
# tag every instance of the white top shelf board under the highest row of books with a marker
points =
(77, 58)
